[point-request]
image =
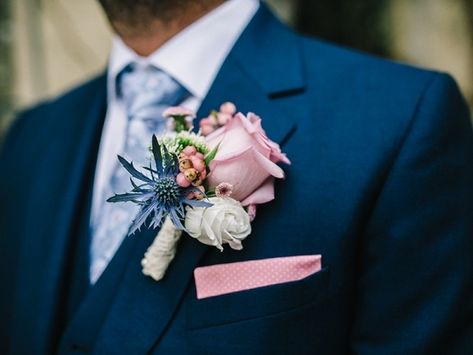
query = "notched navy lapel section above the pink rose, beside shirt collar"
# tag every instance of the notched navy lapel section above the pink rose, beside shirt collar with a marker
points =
(264, 66)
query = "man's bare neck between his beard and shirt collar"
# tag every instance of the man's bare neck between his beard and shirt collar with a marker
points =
(159, 31)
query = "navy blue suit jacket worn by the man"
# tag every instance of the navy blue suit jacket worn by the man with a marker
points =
(381, 184)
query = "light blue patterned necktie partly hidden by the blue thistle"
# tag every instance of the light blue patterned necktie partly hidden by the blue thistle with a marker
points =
(146, 92)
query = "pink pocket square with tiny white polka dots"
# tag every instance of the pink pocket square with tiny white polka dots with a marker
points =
(217, 280)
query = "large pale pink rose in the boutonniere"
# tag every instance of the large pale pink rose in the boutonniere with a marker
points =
(246, 159)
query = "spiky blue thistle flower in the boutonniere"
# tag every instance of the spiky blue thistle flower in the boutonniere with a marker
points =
(158, 195)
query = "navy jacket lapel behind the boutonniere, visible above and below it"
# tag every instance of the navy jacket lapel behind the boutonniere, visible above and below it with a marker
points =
(141, 308)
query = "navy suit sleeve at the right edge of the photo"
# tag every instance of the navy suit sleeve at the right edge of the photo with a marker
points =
(415, 291)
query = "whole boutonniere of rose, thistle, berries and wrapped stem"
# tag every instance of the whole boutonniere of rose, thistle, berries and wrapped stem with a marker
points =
(207, 184)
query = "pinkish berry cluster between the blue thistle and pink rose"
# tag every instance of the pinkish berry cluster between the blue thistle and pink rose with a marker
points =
(192, 168)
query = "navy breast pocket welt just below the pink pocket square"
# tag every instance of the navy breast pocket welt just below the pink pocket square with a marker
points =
(258, 302)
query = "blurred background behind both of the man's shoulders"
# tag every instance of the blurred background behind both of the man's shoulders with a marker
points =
(48, 46)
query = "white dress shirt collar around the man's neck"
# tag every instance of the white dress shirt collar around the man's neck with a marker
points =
(194, 56)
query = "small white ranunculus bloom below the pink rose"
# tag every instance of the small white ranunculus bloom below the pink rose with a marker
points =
(226, 222)
